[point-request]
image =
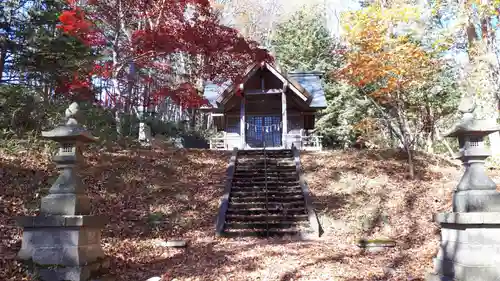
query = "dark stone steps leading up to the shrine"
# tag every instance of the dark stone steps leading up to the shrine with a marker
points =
(266, 198)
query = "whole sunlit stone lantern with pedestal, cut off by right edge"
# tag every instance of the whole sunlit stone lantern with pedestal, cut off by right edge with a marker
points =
(470, 234)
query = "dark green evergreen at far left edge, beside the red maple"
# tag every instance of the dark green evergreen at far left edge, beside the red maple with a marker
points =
(36, 61)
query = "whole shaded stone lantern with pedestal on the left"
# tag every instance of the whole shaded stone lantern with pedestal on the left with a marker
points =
(63, 241)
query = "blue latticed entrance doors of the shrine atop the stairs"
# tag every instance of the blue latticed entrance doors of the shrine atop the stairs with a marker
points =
(263, 131)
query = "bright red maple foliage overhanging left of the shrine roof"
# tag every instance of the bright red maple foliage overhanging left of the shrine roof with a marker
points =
(140, 38)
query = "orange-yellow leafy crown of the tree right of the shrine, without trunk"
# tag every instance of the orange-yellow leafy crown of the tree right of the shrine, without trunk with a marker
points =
(382, 62)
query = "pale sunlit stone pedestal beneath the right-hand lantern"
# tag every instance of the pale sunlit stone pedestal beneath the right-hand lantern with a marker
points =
(469, 250)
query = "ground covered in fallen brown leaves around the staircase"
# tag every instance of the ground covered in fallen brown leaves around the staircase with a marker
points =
(156, 195)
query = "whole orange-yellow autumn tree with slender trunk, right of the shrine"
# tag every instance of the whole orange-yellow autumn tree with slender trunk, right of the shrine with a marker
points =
(389, 66)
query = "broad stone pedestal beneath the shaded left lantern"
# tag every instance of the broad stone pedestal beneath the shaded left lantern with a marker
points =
(63, 247)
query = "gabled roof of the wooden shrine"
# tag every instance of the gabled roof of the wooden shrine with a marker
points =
(307, 85)
